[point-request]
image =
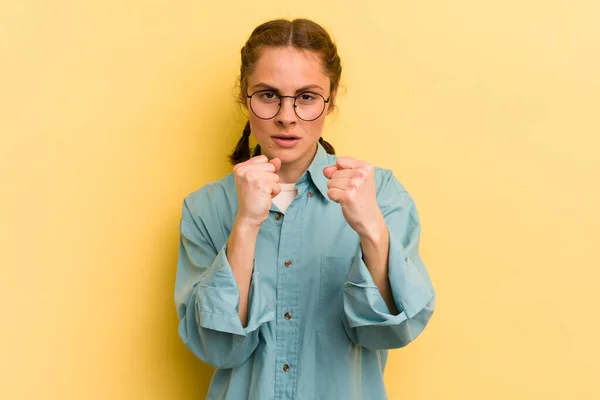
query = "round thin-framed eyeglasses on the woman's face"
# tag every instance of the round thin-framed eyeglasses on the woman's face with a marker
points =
(266, 104)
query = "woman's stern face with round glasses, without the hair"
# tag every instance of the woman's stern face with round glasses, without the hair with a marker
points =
(286, 71)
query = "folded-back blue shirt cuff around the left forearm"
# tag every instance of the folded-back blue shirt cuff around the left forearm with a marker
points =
(218, 296)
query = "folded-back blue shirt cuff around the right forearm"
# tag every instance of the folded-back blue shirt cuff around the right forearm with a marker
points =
(363, 303)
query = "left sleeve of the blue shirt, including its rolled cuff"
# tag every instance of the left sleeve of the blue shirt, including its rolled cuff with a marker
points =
(207, 300)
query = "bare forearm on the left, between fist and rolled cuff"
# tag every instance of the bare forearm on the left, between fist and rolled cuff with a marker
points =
(240, 254)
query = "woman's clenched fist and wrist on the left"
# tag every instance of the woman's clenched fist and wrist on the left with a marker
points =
(257, 183)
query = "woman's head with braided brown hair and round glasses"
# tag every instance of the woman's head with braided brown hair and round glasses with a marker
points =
(280, 59)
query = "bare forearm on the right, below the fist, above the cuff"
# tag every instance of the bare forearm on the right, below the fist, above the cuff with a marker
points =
(375, 247)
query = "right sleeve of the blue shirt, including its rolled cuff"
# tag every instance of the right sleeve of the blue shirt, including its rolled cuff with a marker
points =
(367, 318)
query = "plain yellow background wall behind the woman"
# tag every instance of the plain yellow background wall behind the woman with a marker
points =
(112, 111)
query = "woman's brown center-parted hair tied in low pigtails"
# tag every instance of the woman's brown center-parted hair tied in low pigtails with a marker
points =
(302, 34)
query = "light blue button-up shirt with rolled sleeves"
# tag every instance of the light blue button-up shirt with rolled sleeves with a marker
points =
(318, 327)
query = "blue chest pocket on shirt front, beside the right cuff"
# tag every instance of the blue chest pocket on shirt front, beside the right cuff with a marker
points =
(334, 273)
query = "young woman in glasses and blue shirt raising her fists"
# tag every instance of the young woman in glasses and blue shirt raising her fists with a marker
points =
(299, 270)
